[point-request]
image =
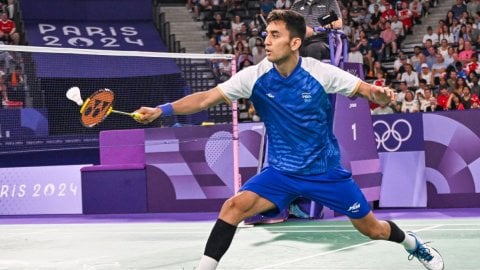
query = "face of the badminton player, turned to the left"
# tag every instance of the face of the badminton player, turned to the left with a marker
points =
(279, 47)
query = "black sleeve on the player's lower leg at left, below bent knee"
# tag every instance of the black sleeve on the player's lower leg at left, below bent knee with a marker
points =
(219, 240)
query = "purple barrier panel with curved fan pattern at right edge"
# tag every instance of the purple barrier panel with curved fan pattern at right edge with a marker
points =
(453, 164)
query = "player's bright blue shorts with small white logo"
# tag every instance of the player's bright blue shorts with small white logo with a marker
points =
(335, 189)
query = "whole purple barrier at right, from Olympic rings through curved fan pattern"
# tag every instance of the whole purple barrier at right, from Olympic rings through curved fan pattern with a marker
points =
(436, 163)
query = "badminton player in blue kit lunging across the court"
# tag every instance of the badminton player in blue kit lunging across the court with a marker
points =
(289, 93)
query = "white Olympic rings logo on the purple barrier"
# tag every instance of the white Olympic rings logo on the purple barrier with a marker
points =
(392, 132)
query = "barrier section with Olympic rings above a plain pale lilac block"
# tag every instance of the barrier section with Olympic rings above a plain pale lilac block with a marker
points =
(399, 139)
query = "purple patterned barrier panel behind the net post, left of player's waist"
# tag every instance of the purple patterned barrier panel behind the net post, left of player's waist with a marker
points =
(176, 183)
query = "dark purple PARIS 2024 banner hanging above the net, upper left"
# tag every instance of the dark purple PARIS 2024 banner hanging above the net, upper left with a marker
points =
(131, 28)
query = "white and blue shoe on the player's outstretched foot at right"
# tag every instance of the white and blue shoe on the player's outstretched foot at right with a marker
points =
(427, 255)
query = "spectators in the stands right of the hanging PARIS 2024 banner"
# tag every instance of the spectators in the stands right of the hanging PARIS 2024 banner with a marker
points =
(440, 73)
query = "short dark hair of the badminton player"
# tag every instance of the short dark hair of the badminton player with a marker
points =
(294, 21)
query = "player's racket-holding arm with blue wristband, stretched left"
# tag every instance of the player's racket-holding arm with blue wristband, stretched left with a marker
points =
(187, 105)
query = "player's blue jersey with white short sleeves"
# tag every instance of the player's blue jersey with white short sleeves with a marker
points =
(296, 111)
